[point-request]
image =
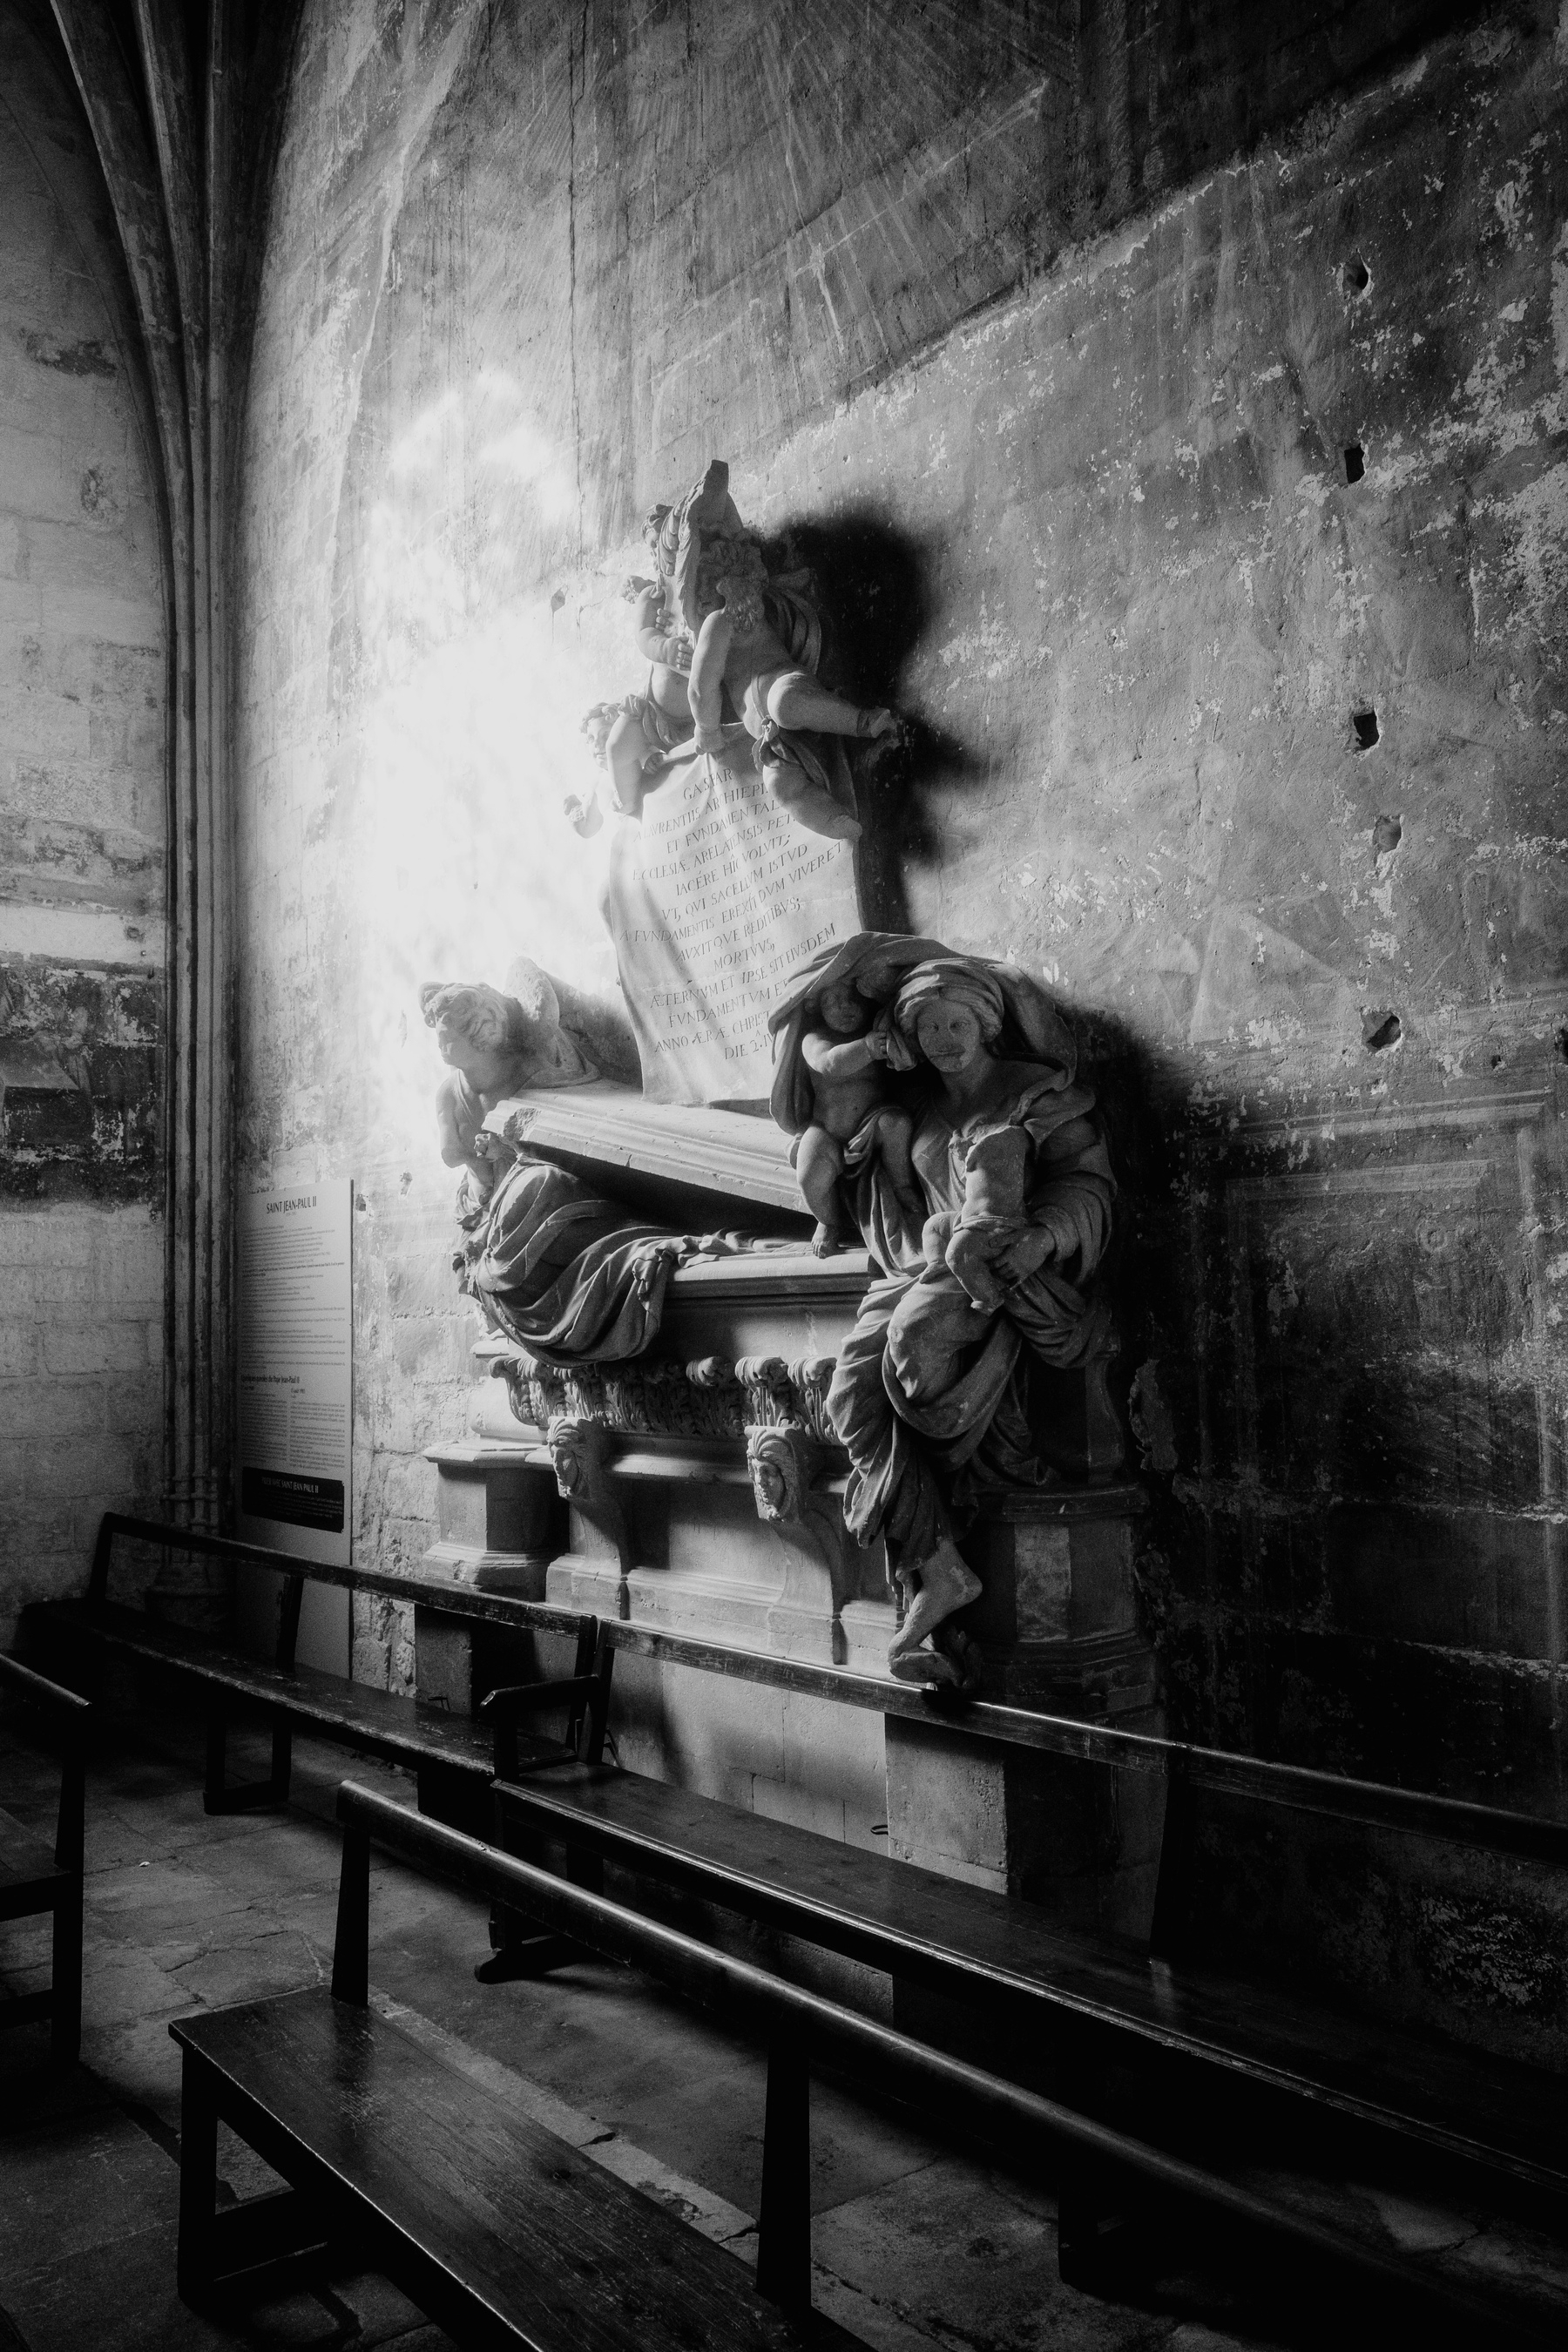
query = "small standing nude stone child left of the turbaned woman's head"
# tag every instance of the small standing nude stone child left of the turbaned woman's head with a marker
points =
(850, 1114)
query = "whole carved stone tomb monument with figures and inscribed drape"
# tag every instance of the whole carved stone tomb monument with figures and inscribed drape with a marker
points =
(878, 1441)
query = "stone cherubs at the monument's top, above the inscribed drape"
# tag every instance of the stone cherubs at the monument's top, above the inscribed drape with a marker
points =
(732, 653)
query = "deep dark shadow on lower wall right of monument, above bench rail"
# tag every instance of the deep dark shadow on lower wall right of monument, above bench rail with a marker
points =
(1327, 1377)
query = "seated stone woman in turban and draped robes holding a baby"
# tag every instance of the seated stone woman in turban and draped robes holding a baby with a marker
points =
(986, 1259)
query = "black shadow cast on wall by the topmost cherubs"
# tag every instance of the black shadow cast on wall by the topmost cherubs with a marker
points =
(876, 589)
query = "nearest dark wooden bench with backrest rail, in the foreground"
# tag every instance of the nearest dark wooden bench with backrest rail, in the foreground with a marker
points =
(511, 2238)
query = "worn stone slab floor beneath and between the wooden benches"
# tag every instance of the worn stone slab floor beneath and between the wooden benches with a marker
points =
(916, 2245)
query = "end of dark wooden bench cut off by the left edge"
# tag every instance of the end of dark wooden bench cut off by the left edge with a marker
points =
(36, 1878)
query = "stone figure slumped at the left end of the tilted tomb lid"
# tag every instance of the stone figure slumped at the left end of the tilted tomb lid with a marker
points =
(495, 1043)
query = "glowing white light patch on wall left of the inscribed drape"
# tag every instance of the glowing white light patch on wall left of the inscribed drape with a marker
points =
(471, 693)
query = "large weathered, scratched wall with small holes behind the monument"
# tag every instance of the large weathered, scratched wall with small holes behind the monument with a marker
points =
(1148, 526)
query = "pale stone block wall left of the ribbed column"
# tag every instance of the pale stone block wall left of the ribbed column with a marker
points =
(81, 850)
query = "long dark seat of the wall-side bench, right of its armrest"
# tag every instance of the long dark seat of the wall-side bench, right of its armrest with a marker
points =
(1087, 2000)
